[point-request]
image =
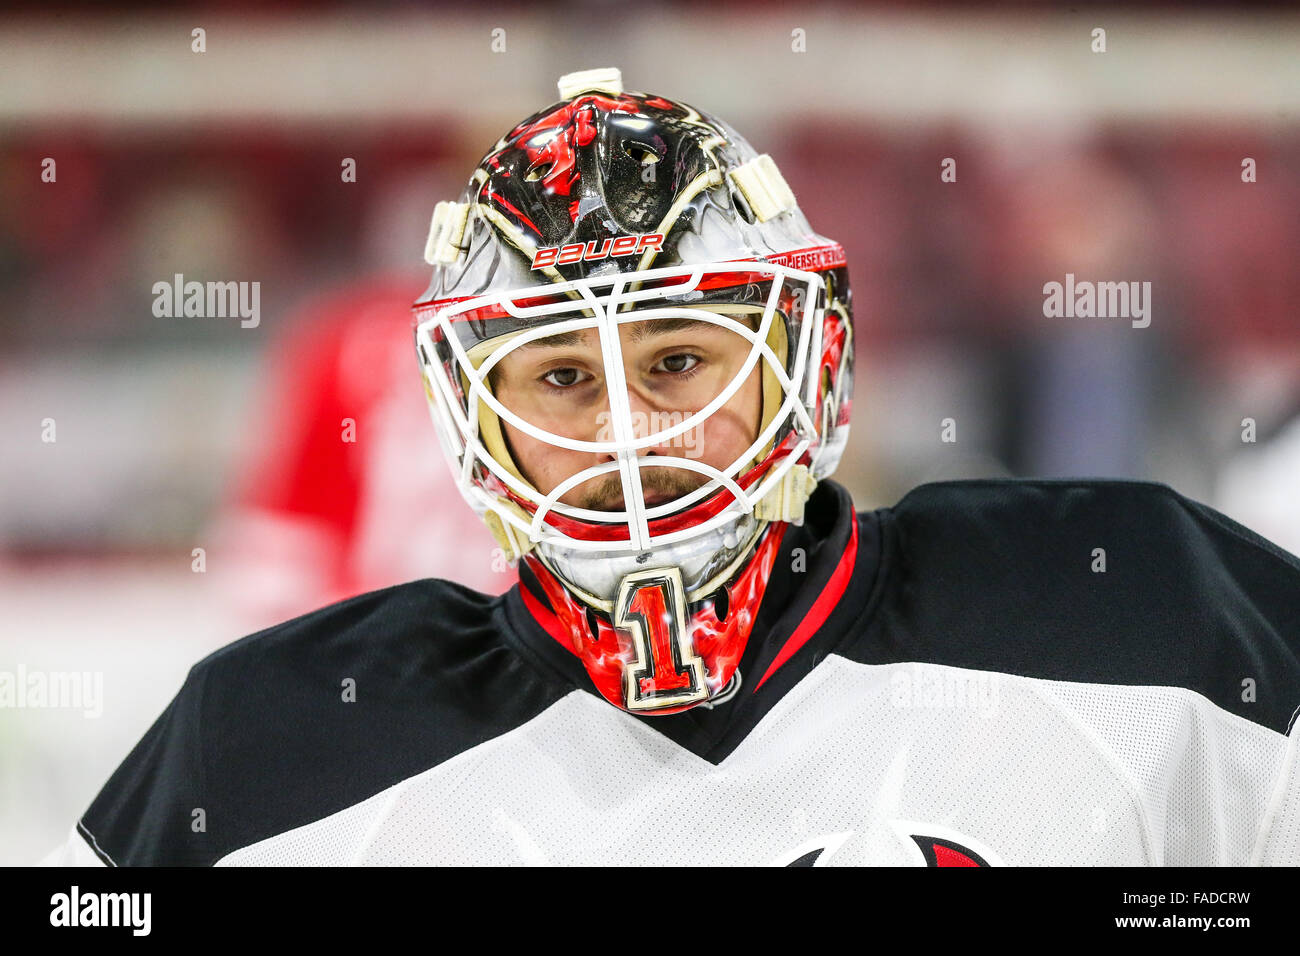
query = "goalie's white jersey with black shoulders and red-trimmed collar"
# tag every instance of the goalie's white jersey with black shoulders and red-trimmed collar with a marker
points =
(989, 673)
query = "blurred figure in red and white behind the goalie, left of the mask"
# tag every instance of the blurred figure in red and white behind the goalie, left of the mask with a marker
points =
(315, 517)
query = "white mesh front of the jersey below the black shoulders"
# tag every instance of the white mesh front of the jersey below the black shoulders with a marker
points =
(1041, 772)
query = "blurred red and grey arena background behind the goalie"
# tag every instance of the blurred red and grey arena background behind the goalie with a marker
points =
(183, 434)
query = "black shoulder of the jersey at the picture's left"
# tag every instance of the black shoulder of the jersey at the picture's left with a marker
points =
(314, 716)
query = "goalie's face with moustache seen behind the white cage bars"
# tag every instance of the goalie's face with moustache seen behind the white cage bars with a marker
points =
(674, 369)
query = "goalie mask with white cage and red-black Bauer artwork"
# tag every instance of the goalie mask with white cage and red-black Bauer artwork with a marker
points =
(639, 360)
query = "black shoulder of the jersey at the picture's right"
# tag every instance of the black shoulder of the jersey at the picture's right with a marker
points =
(1090, 581)
